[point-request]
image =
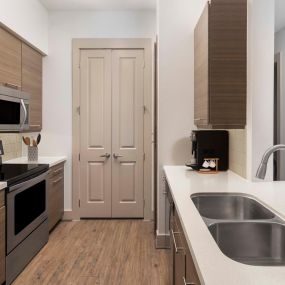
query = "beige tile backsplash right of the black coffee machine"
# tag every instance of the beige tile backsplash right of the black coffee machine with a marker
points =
(237, 152)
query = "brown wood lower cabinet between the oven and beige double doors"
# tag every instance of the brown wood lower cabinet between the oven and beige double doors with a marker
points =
(55, 194)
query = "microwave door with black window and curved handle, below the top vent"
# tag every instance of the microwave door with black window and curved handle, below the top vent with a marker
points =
(14, 113)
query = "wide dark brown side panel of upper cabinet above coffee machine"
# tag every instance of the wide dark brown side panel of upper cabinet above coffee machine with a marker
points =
(228, 61)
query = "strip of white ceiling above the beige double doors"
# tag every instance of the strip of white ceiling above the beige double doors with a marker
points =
(100, 4)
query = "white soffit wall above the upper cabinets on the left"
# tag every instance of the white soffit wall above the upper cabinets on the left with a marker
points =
(28, 19)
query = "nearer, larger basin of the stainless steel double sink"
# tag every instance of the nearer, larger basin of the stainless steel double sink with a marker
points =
(253, 243)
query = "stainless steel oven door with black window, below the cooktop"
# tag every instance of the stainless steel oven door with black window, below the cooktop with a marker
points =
(26, 209)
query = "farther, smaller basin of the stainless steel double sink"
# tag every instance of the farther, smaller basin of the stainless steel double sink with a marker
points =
(224, 206)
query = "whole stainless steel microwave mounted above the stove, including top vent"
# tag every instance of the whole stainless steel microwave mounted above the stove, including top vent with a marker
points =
(14, 110)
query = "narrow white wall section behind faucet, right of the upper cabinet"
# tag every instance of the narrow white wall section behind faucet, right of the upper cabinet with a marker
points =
(260, 99)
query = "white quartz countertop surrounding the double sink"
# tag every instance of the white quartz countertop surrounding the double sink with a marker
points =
(214, 268)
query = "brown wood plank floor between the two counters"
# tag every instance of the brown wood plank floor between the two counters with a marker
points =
(105, 252)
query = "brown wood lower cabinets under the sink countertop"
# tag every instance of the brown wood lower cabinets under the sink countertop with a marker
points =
(184, 271)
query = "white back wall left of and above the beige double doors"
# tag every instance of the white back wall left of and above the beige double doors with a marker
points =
(57, 70)
